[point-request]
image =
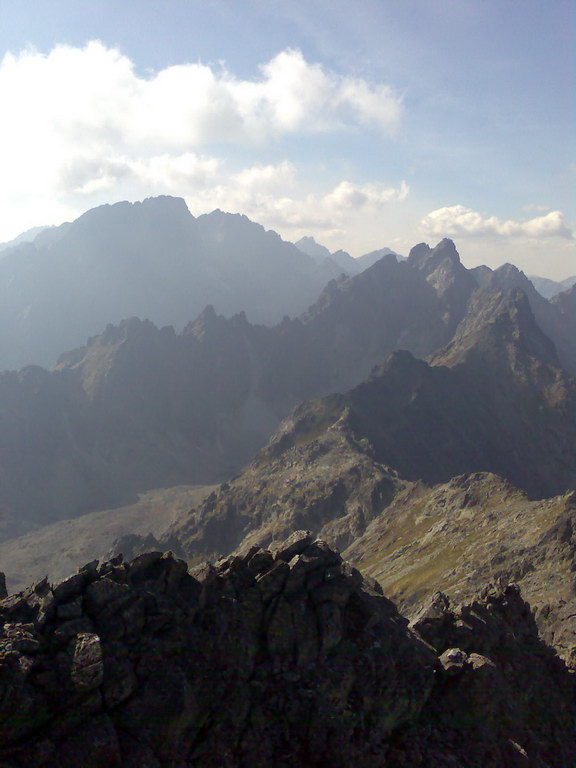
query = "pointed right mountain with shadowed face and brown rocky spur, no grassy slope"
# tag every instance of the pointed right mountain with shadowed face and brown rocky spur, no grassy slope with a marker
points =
(494, 400)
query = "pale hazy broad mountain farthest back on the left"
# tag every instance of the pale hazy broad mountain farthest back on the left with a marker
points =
(152, 260)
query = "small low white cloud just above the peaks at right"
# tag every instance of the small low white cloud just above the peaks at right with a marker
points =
(459, 221)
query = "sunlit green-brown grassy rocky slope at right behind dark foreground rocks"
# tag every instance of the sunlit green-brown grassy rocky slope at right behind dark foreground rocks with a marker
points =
(477, 529)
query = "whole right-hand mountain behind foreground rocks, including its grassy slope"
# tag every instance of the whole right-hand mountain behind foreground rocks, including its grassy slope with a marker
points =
(356, 469)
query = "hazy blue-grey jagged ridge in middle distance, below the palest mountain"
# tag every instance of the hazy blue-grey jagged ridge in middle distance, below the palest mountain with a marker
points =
(140, 407)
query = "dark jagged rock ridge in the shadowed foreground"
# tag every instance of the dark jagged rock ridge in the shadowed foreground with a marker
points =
(286, 658)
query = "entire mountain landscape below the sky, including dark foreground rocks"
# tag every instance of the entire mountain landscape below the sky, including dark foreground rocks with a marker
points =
(414, 414)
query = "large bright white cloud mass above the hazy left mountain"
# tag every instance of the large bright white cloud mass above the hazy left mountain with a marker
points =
(80, 126)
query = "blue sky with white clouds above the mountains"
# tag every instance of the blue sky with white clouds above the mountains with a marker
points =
(364, 123)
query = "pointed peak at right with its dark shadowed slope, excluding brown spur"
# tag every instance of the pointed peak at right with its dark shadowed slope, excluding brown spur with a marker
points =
(495, 399)
